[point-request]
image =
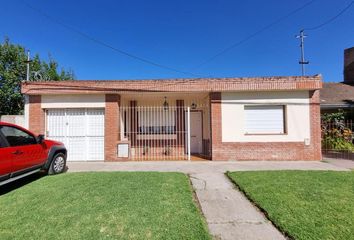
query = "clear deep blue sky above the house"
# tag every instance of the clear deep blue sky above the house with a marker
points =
(182, 34)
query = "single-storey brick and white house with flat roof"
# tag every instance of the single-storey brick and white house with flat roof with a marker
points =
(262, 118)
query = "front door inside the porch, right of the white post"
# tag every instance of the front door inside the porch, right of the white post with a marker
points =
(196, 132)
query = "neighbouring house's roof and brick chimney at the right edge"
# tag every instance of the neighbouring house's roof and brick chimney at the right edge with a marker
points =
(340, 96)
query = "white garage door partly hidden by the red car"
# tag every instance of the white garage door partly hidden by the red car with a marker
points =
(81, 130)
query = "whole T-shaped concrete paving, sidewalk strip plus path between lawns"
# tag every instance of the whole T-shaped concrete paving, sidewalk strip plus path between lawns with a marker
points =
(228, 212)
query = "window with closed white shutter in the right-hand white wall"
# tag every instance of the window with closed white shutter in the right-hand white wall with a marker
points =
(265, 119)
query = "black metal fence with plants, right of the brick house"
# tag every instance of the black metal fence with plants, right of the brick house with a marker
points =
(337, 139)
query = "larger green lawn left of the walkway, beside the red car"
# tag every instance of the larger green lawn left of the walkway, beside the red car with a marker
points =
(117, 205)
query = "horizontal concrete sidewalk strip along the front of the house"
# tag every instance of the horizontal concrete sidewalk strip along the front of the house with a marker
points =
(200, 167)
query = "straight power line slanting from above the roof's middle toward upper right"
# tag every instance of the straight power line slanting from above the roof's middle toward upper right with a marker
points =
(254, 34)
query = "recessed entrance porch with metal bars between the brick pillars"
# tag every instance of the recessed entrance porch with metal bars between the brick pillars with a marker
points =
(164, 126)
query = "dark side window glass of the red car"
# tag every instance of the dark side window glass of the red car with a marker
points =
(17, 137)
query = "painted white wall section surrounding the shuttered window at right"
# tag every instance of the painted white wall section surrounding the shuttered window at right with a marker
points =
(297, 115)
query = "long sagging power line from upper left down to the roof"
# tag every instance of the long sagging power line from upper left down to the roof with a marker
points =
(104, 44)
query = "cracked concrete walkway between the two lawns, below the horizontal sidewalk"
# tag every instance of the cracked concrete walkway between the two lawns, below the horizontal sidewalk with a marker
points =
(228, 212)
